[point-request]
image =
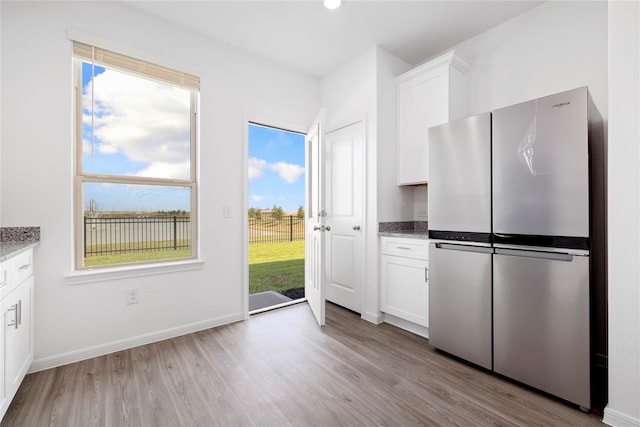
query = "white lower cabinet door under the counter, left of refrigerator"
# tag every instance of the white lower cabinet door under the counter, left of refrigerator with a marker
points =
(405, 290)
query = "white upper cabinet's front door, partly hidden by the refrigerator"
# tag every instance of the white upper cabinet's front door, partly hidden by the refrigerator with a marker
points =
(423, 102)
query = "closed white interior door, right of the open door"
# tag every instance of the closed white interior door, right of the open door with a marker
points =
(344, 204)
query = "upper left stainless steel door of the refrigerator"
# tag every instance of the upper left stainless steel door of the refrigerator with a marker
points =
(460, 178)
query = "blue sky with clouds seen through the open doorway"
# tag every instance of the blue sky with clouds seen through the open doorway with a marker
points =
(276, 168)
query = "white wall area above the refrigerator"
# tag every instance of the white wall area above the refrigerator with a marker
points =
(554, 47)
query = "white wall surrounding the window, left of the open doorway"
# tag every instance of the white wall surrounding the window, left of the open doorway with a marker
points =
(37, 170)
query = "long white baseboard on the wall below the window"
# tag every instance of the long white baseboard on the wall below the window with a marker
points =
(102, 349)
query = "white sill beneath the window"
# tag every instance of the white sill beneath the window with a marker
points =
(92, 275)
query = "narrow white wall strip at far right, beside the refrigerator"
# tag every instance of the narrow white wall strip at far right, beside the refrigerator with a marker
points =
(624, 215)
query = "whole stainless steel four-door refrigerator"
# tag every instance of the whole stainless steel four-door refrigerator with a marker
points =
(547, 217)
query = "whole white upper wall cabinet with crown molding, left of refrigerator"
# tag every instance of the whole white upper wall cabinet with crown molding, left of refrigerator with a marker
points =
(428, 95)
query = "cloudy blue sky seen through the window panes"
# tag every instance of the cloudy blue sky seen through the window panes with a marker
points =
(140, 128)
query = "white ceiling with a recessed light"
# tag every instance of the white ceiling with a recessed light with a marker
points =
(305, 36)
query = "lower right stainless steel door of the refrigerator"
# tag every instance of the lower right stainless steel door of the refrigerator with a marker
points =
(541, 321)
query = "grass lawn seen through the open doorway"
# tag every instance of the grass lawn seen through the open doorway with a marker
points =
(276, 266)
